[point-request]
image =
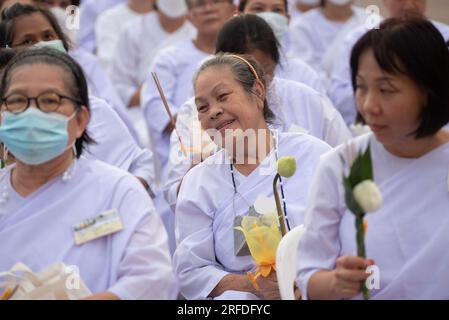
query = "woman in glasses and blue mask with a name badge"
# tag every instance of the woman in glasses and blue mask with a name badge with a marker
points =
(51, 189)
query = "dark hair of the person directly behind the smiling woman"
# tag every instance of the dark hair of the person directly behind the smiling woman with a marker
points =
(245, 33)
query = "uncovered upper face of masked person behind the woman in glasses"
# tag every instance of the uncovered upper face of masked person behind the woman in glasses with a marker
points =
(31, 29)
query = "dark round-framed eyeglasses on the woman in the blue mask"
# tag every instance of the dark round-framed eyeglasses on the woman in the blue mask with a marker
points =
(46, 102)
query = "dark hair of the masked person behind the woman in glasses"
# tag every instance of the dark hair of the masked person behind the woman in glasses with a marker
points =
(9, 16)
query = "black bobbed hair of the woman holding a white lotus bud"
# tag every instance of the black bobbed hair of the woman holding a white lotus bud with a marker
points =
(415, 48)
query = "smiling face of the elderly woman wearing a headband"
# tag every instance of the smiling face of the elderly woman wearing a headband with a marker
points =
(223, 104)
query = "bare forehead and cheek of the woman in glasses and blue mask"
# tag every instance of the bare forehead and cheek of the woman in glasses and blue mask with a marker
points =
(35, 79)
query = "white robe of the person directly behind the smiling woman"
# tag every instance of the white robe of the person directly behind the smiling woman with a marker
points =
(296, 107)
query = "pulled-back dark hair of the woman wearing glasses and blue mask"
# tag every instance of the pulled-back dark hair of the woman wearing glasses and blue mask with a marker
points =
(73, 71)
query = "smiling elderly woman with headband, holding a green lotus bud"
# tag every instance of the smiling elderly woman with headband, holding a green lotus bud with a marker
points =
(230, 97)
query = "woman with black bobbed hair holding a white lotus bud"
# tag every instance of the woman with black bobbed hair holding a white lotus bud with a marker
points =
(401, 92)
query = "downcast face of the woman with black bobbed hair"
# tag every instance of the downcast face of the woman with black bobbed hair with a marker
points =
(390, 104)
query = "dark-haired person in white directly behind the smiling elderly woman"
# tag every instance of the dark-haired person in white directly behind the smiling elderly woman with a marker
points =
(297, 107)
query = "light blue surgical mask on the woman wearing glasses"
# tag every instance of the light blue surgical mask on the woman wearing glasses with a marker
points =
(35, 137)
